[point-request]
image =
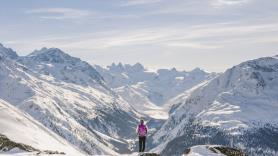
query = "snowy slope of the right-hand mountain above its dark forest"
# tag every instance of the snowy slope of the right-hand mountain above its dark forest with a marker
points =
(243, 97)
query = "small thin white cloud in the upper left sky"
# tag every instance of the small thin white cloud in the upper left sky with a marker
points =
(61, 13)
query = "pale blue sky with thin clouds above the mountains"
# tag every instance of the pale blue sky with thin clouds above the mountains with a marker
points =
(211, 34)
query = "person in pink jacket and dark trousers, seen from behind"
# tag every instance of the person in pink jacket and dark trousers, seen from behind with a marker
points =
(142, 131)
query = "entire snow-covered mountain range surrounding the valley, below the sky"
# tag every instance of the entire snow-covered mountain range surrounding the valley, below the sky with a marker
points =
(90, 109)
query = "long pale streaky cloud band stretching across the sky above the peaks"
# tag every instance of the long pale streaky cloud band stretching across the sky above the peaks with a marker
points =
(208, 36)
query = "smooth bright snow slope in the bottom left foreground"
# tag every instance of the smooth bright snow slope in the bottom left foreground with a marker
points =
(22, 128)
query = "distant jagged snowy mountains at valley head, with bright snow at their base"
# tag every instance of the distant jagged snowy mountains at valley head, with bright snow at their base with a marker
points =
(147, 91)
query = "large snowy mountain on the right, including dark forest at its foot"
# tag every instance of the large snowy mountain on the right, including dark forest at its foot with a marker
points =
(238, 108)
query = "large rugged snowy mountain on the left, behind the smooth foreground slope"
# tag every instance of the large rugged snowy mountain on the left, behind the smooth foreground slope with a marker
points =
(69, 97)
